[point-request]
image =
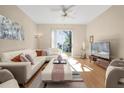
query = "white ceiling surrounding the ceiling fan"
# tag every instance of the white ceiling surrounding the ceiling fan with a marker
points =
(81, 14)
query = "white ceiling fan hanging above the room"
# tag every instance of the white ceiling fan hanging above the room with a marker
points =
(65, 10)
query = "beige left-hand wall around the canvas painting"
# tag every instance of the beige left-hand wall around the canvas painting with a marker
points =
(15, 14)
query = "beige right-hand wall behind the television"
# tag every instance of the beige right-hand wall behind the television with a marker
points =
(109, 27)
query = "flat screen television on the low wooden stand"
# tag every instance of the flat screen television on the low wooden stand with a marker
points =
(101, 49)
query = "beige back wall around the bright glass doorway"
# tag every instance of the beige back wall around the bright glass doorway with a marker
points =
(78, 36)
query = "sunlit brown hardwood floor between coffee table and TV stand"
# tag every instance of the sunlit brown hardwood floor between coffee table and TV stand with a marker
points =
(93, 75)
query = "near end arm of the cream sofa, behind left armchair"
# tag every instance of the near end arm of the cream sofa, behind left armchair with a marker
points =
(20, 70)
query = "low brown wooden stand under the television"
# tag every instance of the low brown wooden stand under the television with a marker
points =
(100, 61)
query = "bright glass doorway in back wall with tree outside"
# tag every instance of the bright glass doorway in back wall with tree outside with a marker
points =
(62, 39)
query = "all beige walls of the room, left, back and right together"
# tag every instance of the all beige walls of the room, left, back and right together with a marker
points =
(108, 26)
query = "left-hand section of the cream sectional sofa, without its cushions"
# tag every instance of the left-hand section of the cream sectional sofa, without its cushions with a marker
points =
(23, 71)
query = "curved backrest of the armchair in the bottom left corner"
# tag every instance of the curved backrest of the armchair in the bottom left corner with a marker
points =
(5, 75)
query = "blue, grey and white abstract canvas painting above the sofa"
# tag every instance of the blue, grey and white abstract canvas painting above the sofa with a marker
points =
(10, 30)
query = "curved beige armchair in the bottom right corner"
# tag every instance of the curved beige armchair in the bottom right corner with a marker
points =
(115, 74)
